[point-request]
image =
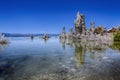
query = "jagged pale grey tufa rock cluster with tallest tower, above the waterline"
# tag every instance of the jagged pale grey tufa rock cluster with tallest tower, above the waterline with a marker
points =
(83, 34)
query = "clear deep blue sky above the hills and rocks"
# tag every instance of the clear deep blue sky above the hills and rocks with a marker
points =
(39, 16)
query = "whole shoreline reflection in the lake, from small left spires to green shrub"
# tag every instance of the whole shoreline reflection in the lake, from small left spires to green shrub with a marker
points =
(91, 47)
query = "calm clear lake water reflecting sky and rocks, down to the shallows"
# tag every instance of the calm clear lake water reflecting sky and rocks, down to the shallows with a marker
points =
(38, 59)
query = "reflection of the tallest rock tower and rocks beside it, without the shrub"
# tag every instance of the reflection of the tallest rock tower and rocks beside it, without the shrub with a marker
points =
(82, 48)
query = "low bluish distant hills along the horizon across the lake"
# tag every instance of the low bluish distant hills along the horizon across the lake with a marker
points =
(25, 35)
